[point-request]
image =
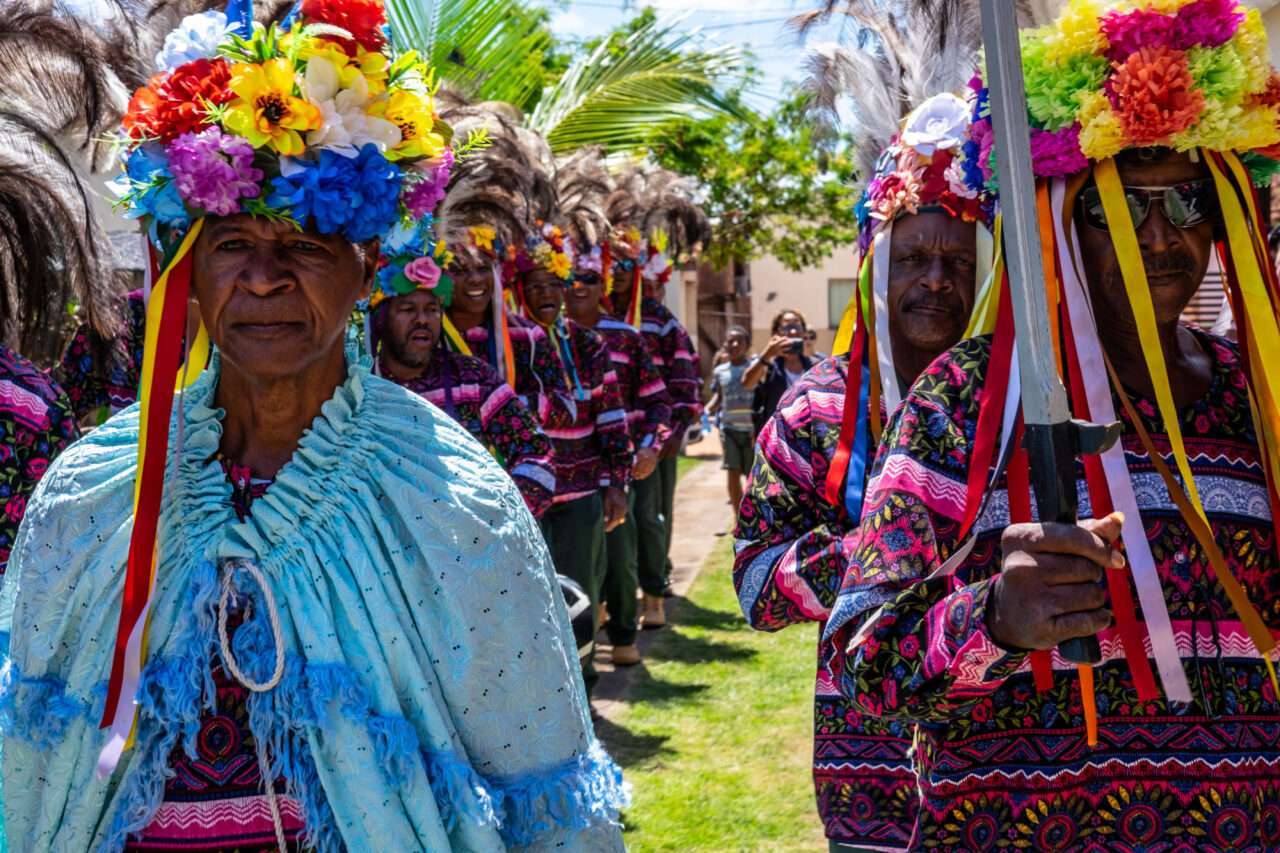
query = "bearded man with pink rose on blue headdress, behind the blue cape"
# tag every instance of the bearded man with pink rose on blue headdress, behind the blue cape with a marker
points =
(408, 340)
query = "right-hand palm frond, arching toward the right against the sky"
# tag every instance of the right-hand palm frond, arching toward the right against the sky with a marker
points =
(619, 95)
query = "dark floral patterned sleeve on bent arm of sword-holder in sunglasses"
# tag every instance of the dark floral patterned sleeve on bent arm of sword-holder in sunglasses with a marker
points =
(912, 647)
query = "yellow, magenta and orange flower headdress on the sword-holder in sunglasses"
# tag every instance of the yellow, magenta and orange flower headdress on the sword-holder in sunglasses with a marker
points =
(1182, 75)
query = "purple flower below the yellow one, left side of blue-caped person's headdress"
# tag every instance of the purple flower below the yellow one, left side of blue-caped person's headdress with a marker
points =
(214, 171)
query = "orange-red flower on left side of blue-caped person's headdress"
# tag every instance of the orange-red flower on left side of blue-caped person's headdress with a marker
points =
(173, 104)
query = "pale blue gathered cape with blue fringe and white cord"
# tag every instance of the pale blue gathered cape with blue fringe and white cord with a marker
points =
(432, 697)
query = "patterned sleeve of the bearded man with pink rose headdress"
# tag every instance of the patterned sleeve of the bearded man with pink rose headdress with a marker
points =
(514, 432)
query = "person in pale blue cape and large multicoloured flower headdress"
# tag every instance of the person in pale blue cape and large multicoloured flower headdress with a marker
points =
(298, 606)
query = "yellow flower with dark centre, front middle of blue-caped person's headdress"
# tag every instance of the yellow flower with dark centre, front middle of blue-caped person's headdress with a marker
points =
(267, 112)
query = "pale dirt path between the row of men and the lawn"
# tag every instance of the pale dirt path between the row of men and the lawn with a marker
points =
(702, 517)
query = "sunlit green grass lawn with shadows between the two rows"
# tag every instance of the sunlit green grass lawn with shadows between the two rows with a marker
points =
(716, 738)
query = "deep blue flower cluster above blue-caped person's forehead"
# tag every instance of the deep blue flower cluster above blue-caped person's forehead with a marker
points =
(358, 198)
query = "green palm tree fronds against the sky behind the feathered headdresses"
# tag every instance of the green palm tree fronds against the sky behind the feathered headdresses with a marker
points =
(618, 97)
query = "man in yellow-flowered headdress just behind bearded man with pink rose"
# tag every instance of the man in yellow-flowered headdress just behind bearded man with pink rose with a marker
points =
(593, 457)
